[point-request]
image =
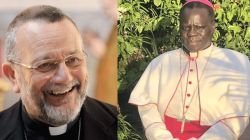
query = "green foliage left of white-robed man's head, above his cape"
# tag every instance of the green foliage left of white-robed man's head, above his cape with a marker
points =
(145, 27)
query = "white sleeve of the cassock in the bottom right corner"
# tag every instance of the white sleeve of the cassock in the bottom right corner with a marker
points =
(227, 129)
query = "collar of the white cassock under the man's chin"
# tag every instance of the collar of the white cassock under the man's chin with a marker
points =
(202, 53)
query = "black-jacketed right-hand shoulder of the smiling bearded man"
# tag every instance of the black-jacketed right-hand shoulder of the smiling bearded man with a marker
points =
(100, 117)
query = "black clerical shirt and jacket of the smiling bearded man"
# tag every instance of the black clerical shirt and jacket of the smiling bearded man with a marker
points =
(98, 122)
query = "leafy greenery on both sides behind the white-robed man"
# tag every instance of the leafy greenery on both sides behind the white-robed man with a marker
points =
(148, 28)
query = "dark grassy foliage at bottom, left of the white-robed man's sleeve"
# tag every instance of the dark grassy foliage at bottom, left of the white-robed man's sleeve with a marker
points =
(125, 130)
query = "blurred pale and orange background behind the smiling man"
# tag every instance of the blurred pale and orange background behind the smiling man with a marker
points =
(97, 21)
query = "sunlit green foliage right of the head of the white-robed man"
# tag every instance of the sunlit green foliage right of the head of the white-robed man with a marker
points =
(233, 20)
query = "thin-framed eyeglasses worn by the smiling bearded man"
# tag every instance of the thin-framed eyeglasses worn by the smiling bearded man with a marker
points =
(49, 65)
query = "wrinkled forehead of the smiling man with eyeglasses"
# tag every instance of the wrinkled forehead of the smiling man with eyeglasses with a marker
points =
(48, 39)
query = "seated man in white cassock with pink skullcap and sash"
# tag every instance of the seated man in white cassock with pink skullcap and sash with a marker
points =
(199, 91)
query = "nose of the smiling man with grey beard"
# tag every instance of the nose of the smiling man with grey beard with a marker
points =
(62, 74)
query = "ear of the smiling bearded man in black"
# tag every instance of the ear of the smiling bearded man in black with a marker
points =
(9, 72)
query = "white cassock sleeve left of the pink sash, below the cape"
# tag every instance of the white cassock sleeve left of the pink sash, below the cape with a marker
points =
(155, 128)
